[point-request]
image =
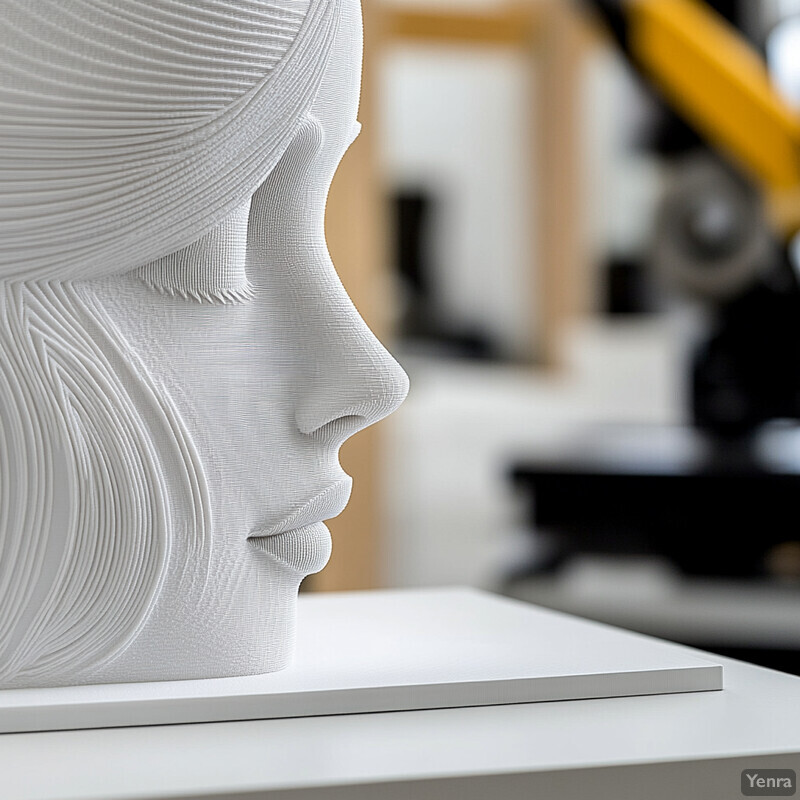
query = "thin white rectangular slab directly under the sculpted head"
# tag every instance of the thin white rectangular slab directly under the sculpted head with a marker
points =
(389, 651)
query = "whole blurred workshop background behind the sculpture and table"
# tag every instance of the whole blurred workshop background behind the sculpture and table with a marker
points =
(574, 224)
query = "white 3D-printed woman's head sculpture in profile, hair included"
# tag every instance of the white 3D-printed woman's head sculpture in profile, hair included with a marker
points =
(179, 363)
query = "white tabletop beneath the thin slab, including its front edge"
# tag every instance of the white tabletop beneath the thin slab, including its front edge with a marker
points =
(684, 745)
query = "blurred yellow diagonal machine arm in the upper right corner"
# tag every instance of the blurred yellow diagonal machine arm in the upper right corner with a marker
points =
(719, 84)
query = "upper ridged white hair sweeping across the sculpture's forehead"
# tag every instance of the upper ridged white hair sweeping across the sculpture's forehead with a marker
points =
(129, 129)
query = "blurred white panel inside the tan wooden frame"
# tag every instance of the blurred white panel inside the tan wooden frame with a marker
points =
(455, 124)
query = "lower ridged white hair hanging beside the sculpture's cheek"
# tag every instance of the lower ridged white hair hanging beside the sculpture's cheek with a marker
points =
(89, 489)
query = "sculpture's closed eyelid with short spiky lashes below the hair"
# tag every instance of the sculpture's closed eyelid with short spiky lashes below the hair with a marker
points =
(210, 270)
